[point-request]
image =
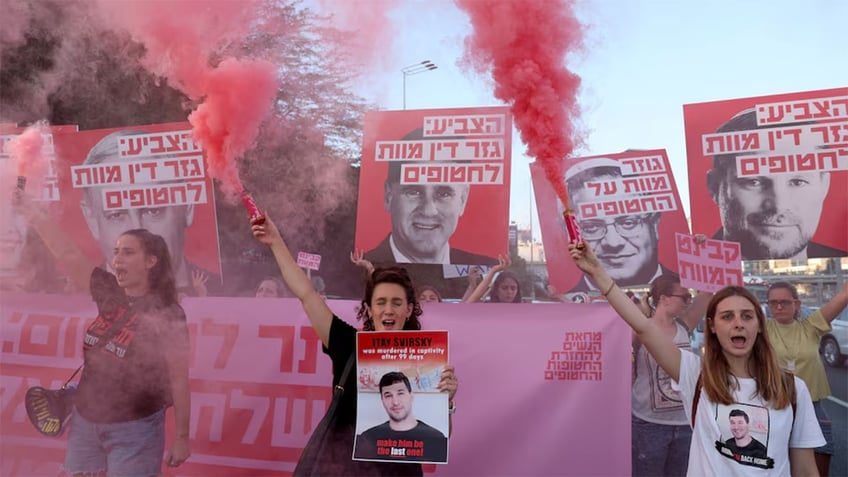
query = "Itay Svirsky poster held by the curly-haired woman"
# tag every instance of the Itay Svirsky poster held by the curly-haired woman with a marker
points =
(401, 414)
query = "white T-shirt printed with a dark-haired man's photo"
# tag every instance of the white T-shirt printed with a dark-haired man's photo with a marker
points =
(711, 454)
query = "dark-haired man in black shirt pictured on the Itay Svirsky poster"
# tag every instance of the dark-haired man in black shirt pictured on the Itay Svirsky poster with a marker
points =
(397, 398)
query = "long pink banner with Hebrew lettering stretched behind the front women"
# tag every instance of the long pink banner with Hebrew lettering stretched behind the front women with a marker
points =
(260, 384)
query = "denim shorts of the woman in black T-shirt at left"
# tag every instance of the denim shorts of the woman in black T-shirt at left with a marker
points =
(122, 449)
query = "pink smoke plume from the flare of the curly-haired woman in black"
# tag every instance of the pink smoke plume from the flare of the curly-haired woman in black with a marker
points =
(184, 40)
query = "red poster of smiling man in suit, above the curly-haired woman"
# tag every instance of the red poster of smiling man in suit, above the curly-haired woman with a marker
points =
(434, 186)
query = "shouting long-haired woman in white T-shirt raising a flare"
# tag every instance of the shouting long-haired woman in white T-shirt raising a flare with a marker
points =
(739, 368)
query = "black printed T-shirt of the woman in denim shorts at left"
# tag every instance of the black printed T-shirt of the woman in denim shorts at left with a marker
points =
(128, 378)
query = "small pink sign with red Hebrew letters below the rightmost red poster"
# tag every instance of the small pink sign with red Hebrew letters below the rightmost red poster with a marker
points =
(708, 266)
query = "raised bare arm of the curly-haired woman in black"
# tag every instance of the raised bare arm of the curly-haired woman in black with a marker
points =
(319, 314)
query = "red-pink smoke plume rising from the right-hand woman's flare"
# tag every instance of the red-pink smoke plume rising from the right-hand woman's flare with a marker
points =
(524, 45)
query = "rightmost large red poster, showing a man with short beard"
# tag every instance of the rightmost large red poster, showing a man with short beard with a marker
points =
(771, 172)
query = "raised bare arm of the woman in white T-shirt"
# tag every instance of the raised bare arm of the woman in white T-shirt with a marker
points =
(659, 344)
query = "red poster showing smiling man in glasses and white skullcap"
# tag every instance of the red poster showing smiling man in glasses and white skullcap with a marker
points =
(628, 210)
